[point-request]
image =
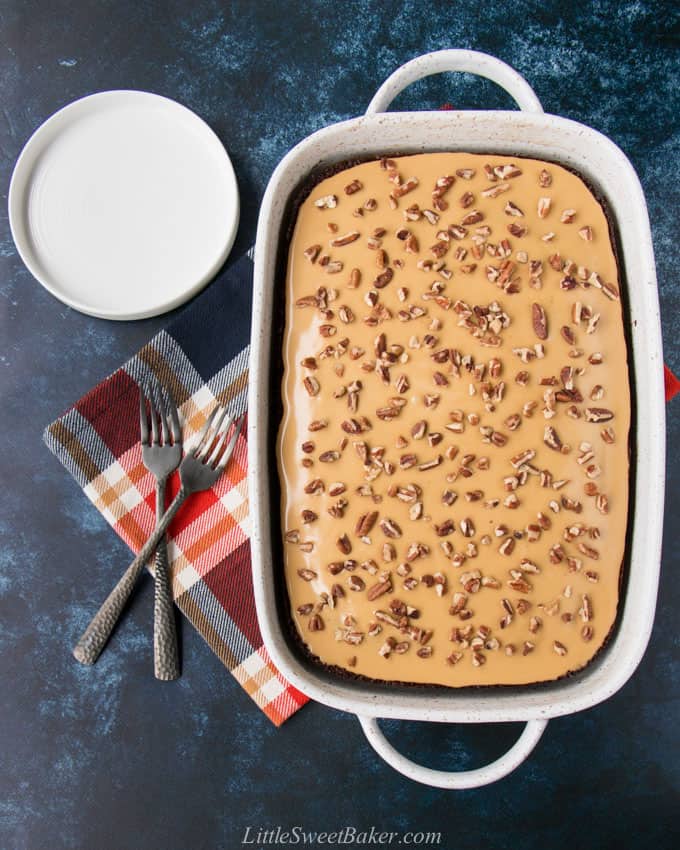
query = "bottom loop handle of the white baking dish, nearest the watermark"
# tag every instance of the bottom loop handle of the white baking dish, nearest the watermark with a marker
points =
(450, 779)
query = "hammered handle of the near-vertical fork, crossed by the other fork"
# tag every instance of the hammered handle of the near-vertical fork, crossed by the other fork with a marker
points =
(165, 653)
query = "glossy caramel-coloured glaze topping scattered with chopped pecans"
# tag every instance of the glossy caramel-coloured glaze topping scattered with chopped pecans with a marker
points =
(454, 446)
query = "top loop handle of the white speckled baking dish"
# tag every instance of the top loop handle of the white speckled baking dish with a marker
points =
(469, 61)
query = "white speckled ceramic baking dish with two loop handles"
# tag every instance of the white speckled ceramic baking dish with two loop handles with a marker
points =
(528, 132)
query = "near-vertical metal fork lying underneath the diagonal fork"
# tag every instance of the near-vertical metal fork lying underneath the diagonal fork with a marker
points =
(161, 457)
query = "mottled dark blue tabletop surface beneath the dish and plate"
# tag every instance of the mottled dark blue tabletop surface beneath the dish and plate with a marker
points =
(109, 758)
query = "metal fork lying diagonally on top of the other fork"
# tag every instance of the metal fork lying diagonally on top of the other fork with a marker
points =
(199, 470)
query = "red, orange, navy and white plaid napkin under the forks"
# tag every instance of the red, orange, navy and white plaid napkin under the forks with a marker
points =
(201, 357)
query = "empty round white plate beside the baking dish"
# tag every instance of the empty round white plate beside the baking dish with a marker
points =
(123, 204)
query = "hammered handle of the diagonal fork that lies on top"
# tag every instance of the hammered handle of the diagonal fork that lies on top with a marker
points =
(95, 636)
